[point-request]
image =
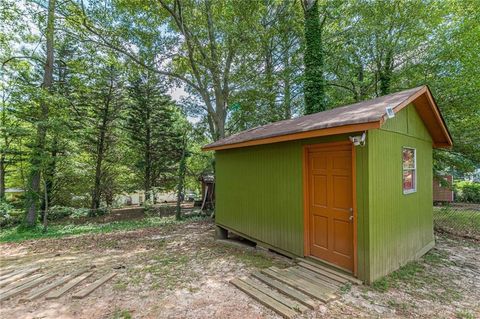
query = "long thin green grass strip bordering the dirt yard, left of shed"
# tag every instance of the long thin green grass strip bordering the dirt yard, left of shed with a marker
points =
(16, 234)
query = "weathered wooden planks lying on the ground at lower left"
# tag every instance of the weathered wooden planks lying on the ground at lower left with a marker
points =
(30, 283)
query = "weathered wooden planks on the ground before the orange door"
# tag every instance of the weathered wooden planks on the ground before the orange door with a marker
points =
(294, 290)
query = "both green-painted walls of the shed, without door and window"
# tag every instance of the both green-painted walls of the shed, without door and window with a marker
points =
(259, 194)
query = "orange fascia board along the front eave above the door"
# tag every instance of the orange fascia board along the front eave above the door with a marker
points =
(301, 135)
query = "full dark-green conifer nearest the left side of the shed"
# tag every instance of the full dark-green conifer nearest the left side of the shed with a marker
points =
(154, 130)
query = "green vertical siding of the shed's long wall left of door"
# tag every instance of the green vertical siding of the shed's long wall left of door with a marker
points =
(260, 192)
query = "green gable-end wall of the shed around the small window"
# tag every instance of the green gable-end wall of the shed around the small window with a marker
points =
(400, 225)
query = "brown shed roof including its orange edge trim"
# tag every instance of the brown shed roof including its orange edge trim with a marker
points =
(351, 118)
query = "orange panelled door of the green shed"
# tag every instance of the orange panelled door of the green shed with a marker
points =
(330, 204)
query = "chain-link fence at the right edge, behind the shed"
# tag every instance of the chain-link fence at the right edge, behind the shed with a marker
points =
(461, 219)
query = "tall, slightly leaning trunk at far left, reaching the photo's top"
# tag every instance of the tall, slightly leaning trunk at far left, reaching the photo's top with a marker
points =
(33, 194)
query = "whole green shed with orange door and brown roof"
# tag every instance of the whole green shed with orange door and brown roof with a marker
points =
(350, 187)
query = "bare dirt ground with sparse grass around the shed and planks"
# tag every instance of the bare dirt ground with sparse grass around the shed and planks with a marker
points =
(179, 271)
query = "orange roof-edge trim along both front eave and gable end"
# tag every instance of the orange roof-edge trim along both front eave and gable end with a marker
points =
(423, 101)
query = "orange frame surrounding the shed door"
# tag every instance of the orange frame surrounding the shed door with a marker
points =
(306, 213)
